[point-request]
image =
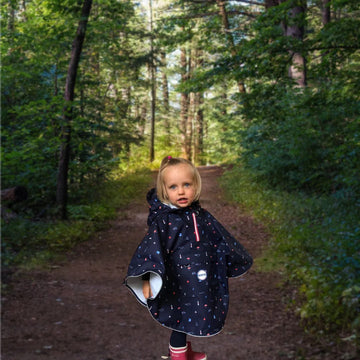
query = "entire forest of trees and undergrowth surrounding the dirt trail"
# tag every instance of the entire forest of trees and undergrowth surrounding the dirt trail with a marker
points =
(92, 91)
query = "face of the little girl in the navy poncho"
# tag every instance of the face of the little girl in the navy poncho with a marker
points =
(179, 184)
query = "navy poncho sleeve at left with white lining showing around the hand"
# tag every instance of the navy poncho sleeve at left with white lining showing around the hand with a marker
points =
(148, 259)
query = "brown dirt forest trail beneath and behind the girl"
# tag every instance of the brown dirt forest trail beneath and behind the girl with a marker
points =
(79, 310)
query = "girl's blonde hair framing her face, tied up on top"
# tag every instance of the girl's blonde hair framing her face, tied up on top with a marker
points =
(170, 161)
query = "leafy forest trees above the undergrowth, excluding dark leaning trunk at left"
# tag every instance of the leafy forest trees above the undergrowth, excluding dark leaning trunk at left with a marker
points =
(273, 83)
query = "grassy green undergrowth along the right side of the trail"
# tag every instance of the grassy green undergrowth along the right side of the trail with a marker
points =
(315, 241)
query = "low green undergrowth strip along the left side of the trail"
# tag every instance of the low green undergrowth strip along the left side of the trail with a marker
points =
(28, 242)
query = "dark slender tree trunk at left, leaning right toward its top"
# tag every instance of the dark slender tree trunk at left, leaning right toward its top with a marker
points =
(63, 168)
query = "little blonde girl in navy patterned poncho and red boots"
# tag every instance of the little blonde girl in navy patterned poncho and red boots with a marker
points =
(180, 270)
